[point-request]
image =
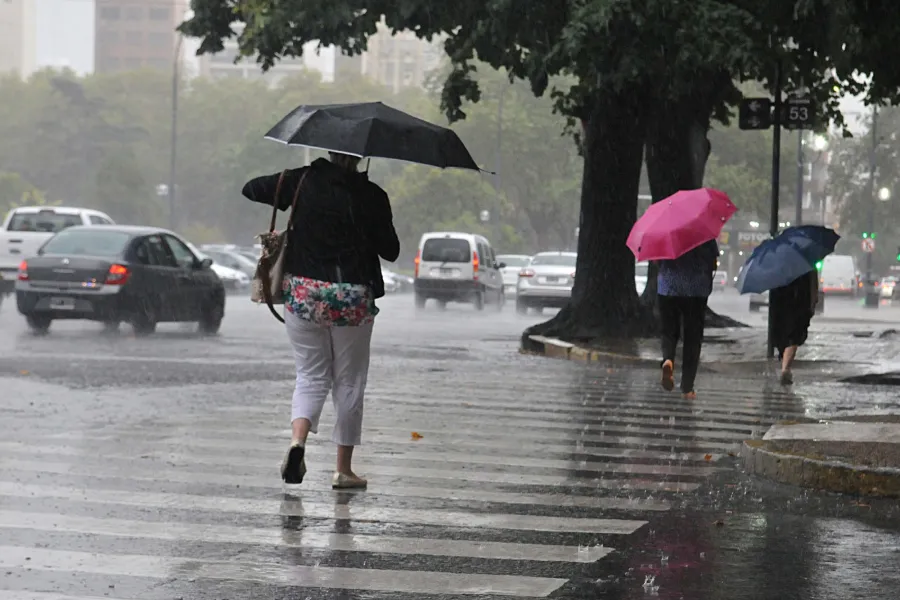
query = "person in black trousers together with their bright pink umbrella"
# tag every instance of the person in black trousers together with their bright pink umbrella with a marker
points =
(680, 233)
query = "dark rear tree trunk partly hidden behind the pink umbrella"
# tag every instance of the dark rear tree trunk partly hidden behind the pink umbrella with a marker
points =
(676, 152)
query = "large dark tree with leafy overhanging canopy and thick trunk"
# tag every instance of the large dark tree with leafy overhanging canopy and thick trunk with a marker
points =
(654, 72)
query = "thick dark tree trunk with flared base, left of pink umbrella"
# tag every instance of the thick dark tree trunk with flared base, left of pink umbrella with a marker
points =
(604, 303)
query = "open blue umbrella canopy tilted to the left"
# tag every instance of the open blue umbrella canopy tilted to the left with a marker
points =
(779, 261)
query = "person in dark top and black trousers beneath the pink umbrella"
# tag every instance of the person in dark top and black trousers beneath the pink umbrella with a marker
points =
(683, 287)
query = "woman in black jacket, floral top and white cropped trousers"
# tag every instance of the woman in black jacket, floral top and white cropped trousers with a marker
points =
(342, 224)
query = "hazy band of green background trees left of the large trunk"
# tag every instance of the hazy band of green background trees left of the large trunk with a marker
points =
(113, 151)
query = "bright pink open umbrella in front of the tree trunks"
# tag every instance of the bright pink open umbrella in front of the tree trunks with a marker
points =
(680, 223)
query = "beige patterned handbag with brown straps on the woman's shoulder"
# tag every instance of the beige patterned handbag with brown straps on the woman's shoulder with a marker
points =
(268, 281)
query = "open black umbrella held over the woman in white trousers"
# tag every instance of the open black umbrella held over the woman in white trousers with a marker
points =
(372, 129)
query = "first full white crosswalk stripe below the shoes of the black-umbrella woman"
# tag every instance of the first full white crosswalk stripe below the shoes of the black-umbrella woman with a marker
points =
(296, 507)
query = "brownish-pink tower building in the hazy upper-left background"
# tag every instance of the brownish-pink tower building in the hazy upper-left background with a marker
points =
(133, 34)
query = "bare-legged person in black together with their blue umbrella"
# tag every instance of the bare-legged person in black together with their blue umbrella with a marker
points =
(786, 267)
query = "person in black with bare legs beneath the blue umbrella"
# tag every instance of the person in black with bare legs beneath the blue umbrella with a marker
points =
(793, 307)
